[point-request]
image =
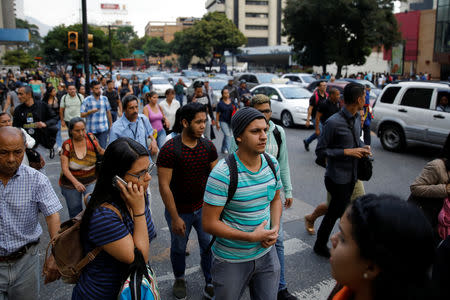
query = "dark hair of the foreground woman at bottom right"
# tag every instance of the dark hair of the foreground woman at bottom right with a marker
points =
(396, 237)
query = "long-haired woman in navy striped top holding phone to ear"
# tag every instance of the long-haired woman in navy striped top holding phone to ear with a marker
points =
(118, 235)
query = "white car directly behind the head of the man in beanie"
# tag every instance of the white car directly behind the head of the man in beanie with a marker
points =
(289, 102)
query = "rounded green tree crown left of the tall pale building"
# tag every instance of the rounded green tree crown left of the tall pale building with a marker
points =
(214, 33)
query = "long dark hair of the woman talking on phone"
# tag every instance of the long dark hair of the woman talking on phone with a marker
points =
(118, 159)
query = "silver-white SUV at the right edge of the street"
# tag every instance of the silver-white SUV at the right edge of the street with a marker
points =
(406, 111)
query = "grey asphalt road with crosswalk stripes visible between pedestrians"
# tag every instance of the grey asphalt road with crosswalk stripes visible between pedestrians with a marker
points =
(308, 275)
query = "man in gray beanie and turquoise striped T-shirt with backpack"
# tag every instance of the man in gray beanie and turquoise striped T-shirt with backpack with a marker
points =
(246, 222)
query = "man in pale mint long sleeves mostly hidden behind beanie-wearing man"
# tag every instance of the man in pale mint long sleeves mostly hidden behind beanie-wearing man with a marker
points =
(276, 146)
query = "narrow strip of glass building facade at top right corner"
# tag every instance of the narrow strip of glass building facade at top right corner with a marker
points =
(442, 40)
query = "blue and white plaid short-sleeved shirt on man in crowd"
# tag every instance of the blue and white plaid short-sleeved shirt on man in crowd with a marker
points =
(97, 122)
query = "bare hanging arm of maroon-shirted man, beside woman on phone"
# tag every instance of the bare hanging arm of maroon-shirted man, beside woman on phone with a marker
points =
(164, 178)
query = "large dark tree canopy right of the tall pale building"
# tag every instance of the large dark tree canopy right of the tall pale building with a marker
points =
(340, 31)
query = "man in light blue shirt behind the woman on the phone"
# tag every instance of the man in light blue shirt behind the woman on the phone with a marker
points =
(134, 125)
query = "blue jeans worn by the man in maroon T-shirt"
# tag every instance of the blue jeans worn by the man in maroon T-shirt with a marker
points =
(178, 245)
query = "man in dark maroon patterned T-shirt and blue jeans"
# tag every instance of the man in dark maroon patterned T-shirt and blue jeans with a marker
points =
(184, 164)
